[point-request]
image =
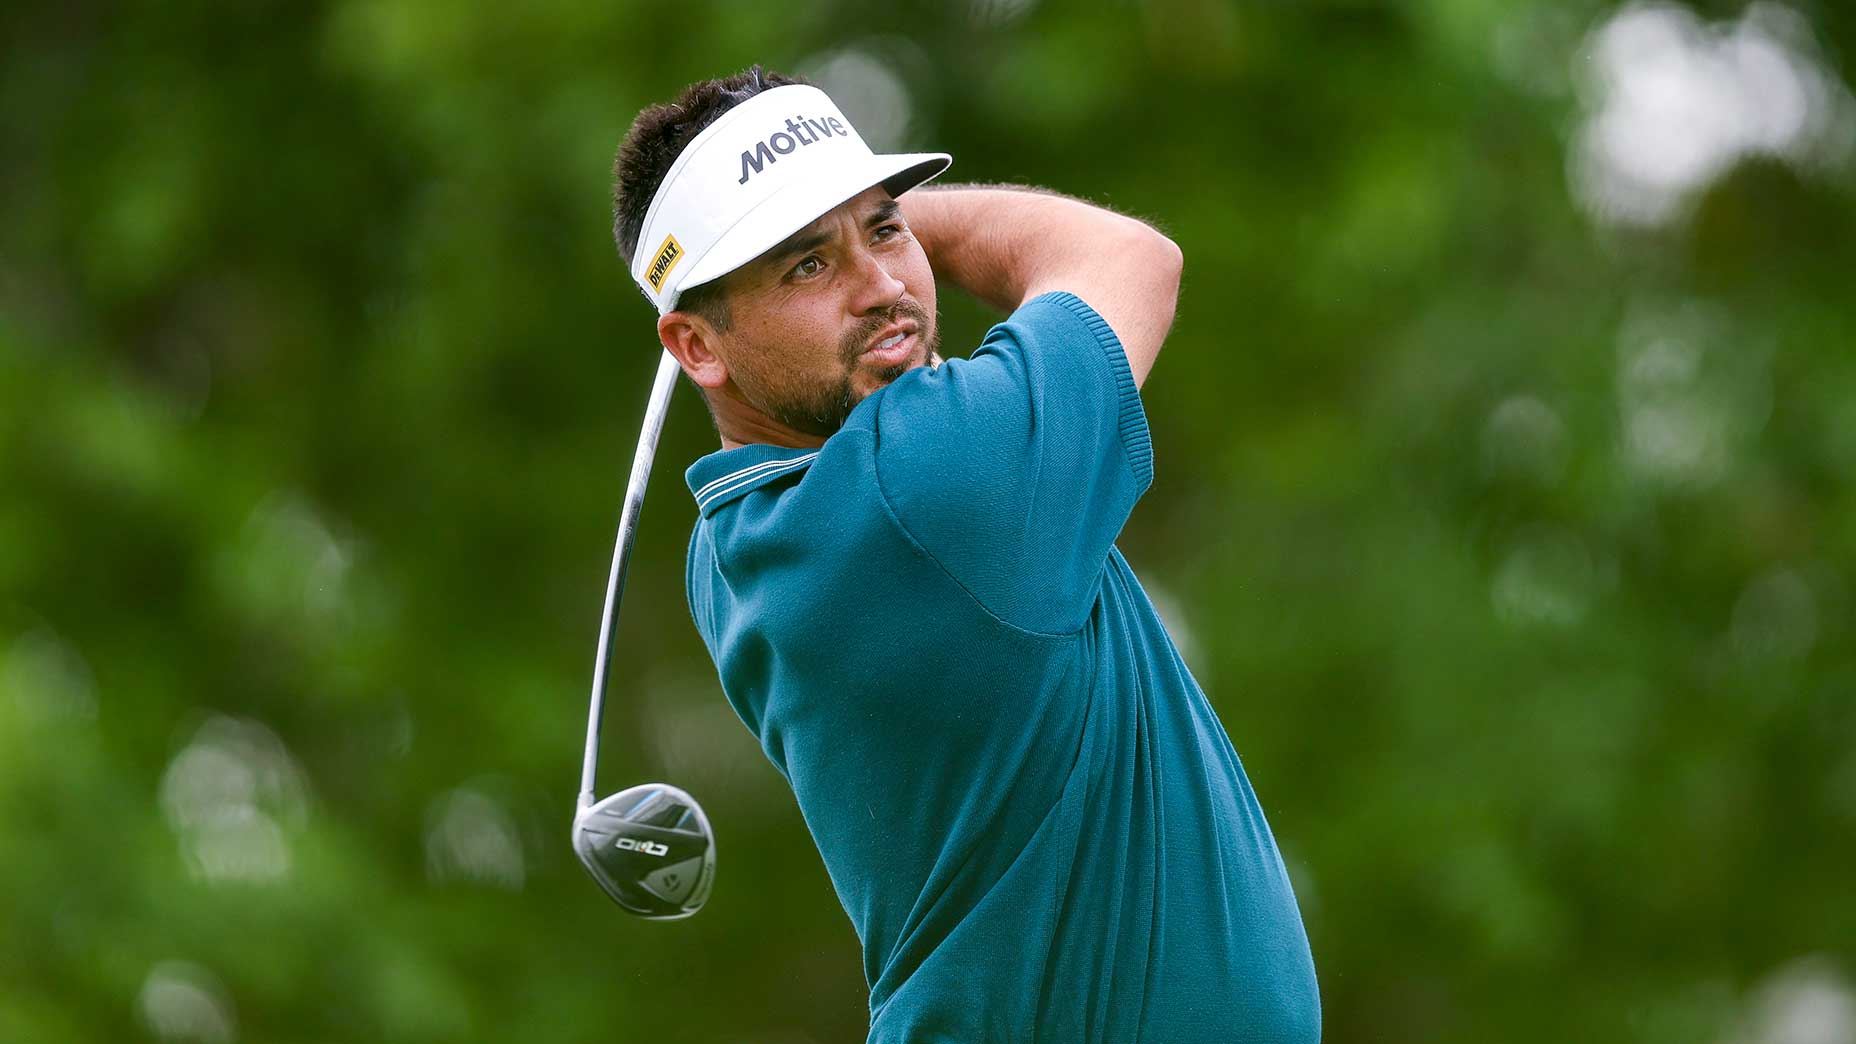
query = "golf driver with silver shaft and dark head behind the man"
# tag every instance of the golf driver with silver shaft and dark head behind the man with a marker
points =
(649, 846)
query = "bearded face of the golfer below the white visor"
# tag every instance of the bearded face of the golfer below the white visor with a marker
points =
(814, 322)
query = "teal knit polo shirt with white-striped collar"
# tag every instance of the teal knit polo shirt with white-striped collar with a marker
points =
(1025, 803)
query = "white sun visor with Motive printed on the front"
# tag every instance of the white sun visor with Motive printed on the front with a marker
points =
(766, 170)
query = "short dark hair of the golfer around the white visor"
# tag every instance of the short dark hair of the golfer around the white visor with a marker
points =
(652, 146)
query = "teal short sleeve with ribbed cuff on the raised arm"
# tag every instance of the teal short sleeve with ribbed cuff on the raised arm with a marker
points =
(1016, 469)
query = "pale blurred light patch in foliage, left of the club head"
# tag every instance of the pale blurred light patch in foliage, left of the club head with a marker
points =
(229, 798)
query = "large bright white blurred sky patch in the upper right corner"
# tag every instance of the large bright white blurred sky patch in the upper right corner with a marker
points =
(1675, 103)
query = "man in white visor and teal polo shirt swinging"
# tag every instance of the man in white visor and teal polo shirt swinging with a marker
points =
(905, 571)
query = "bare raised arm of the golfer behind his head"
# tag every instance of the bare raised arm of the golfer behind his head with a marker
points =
(1007, 246)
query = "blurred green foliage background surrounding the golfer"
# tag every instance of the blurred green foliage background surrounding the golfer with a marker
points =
(1502, 502)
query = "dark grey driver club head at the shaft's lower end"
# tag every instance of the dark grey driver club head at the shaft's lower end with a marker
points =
(651, 848)
